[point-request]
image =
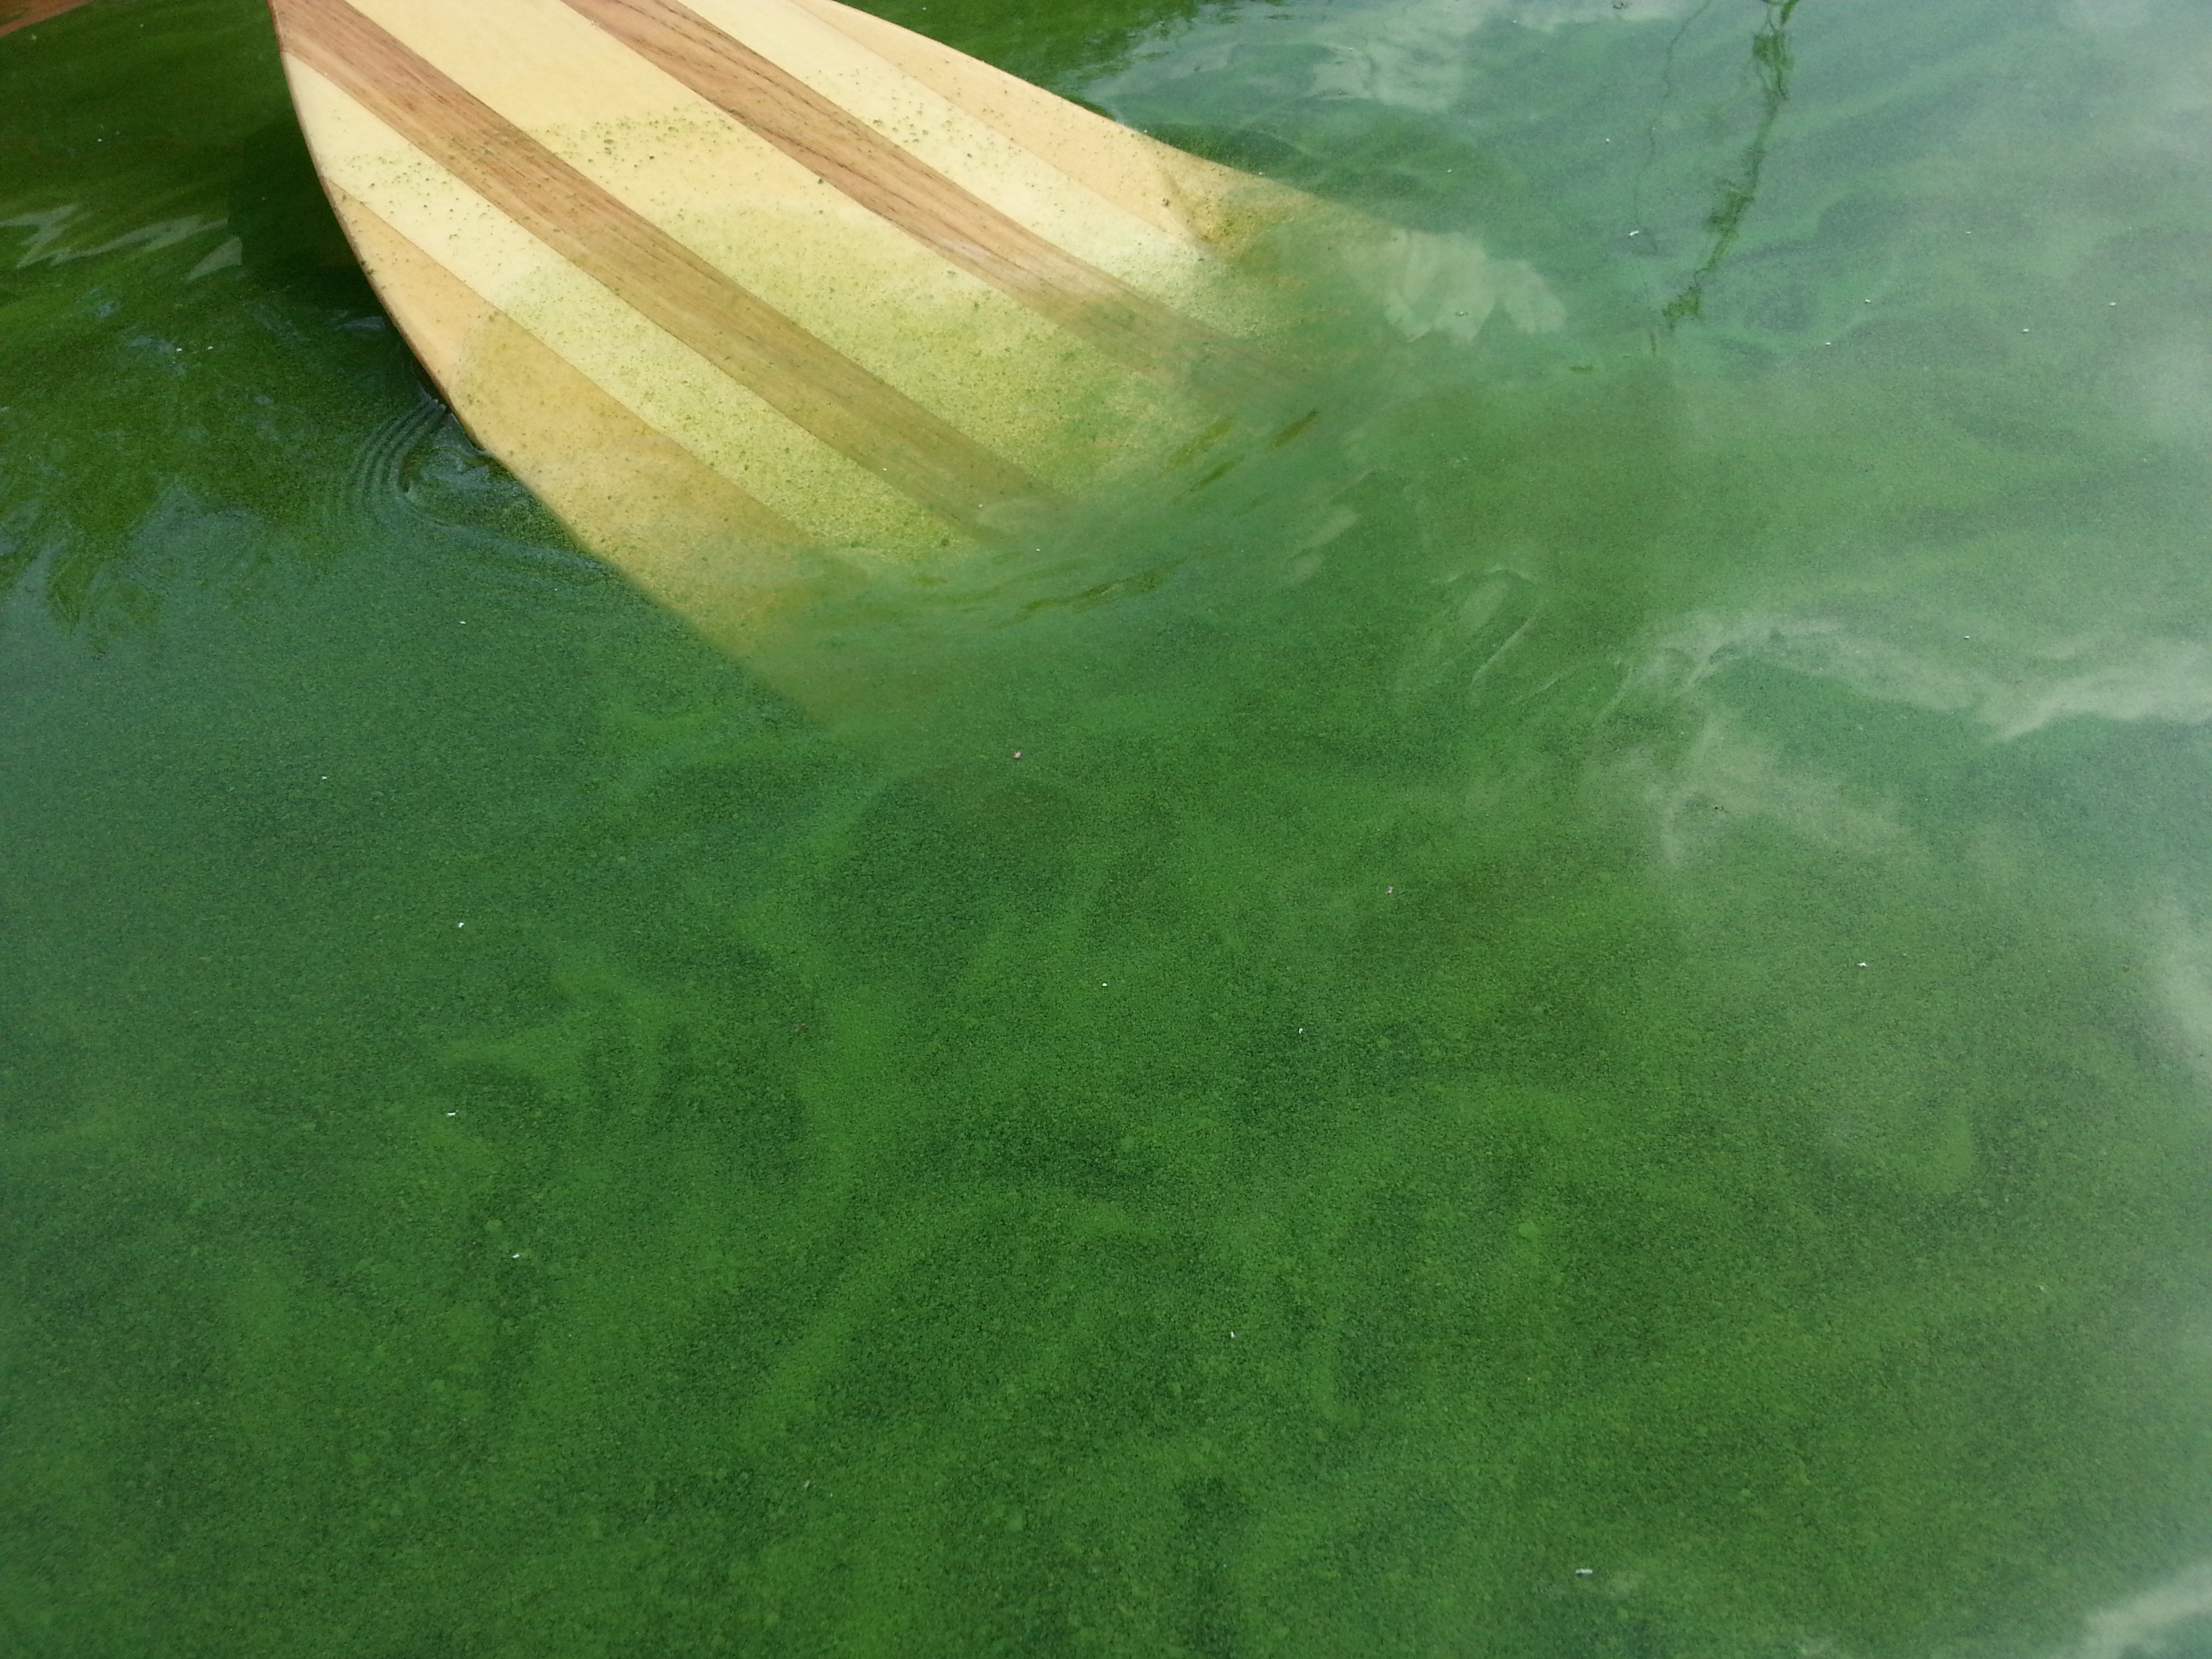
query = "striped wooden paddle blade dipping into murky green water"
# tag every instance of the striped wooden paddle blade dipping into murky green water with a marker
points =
(731, 280)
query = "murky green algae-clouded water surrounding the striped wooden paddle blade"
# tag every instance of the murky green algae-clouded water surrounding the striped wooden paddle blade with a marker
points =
(1567, 1023)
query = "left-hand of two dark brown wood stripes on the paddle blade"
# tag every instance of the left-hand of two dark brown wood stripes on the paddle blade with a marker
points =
(795, 373)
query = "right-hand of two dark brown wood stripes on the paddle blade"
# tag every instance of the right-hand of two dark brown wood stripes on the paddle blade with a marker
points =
(899, 187)
